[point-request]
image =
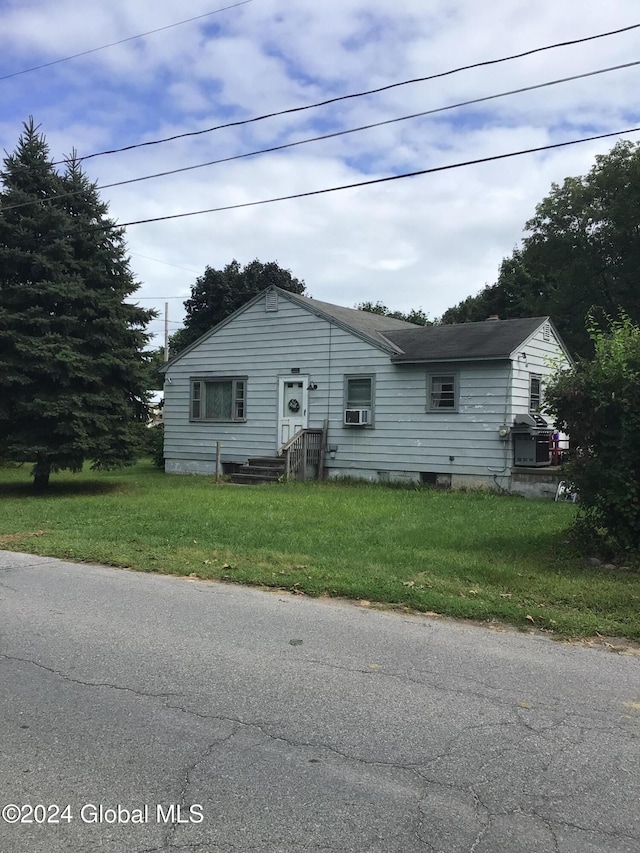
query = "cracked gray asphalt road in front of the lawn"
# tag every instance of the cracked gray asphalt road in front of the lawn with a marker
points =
(230, 719)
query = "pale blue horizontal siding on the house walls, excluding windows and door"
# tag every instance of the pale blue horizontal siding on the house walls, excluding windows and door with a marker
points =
(405, 437)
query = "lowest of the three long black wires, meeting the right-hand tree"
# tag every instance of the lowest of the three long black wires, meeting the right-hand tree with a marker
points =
(373, 181)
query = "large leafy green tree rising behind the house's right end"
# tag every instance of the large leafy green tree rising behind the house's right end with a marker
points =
(580, 255)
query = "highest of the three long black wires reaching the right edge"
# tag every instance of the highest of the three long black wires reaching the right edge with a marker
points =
(290, 110)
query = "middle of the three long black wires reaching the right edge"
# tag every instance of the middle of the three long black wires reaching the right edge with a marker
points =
(336, 133)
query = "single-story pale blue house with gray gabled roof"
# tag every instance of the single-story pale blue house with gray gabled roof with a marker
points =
(452, 405)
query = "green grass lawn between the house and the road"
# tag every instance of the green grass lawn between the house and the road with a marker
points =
(473, 555)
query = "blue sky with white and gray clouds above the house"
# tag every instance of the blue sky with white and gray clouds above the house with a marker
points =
(421, 242)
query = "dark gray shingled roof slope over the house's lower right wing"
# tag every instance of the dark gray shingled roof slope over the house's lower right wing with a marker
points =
(463, 341)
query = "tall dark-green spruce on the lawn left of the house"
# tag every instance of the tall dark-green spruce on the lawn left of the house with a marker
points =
(72, 369)
